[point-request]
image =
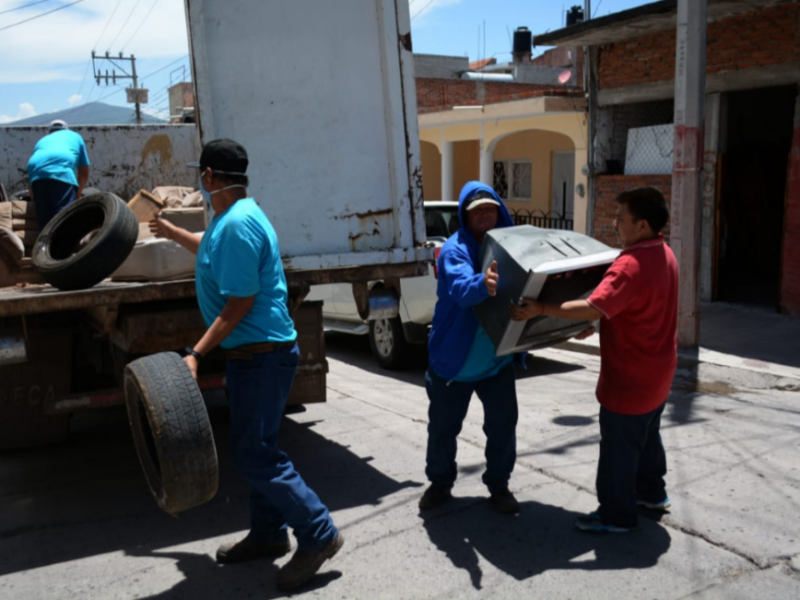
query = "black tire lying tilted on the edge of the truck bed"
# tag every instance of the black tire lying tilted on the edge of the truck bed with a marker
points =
(57, 253)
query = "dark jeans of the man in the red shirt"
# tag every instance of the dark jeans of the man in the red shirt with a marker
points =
(632, 465)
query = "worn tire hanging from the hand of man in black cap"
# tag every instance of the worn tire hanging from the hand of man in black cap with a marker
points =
(171, 431)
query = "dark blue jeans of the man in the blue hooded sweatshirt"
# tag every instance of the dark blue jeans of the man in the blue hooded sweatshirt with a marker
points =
(448, 407)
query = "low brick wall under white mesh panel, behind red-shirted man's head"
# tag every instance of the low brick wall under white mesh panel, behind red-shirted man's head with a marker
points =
(608, 187)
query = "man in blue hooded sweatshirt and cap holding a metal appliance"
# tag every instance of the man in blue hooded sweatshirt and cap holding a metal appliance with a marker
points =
(462, 358)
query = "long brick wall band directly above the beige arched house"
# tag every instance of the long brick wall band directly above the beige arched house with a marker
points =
(443, 94)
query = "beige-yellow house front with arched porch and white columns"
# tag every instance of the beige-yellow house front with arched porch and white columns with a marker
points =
(532, 151)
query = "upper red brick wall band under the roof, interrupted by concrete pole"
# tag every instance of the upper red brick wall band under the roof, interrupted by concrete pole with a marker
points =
(767, 37)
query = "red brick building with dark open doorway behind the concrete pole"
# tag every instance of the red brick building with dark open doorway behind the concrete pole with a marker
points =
(751, 194)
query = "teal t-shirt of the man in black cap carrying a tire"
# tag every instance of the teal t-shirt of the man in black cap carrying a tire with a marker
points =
(239, 256)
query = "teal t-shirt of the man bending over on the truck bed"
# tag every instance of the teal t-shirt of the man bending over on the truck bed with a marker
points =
(56, 156)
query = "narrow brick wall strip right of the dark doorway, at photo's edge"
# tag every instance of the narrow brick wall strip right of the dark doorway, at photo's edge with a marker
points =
(790, 276)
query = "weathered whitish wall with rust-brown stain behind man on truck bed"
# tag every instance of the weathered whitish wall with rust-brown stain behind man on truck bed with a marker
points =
(124, 159)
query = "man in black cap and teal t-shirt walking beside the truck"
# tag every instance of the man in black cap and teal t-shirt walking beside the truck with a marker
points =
(242, 293)
